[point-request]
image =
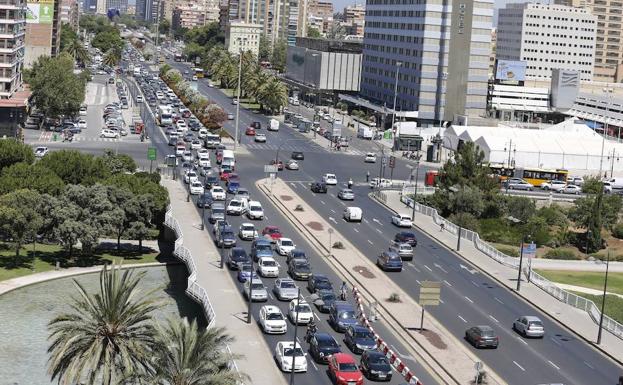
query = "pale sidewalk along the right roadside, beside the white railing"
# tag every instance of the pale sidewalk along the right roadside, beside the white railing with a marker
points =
(582, 324)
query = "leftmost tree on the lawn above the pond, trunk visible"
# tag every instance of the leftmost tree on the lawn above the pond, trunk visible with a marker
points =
(19, 218)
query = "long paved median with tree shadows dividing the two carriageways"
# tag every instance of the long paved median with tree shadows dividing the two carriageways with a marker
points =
(436, 348)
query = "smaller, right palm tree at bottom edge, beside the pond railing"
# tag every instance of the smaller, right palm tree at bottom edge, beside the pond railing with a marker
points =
(188, 355)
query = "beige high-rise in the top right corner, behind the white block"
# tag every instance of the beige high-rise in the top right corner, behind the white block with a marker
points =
(608, 46)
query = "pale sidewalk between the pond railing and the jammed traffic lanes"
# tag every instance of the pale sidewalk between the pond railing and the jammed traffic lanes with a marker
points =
(229, 306)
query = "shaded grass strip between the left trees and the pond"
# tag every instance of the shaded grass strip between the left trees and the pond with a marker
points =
(47, 255)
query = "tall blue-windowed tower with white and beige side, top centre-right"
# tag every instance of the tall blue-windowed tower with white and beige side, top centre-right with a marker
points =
(439, 56)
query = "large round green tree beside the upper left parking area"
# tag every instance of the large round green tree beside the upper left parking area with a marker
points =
(56, 90)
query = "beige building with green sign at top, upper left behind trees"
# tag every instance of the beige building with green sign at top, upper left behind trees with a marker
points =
(43, 30)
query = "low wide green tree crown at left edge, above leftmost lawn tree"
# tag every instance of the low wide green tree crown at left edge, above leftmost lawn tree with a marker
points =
(31, 176)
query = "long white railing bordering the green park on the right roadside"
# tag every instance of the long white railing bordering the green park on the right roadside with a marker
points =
(549, 287)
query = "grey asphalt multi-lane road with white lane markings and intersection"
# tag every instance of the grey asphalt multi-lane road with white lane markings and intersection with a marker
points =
(469, 298)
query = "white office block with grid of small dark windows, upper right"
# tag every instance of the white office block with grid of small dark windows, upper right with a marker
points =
(547, 37)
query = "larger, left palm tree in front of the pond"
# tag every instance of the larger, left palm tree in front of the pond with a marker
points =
(107, 335)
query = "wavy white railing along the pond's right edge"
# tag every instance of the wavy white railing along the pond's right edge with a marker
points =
(194, 290)
